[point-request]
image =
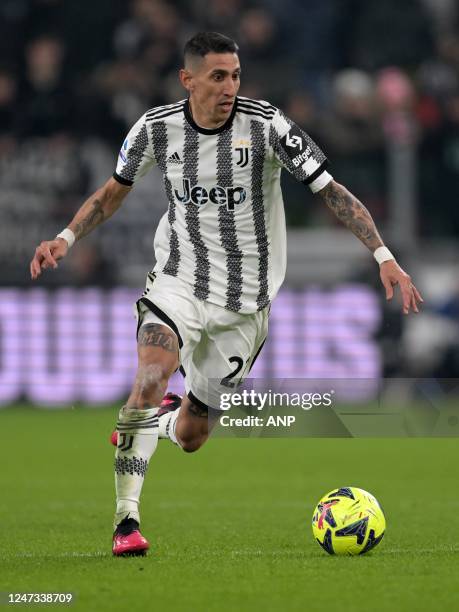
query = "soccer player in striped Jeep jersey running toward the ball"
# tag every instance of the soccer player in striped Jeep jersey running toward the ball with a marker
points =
(220, 254)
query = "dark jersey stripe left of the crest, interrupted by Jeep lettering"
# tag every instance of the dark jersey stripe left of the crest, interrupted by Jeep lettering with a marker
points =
(227, 224)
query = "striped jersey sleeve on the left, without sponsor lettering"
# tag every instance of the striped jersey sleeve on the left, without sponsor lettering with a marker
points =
(136, 156)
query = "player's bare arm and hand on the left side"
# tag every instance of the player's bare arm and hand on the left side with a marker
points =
(98, 207)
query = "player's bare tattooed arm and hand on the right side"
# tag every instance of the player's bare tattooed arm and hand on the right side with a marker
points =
(355, 216)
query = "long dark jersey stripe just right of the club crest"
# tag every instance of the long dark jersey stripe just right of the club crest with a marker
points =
(257, 134)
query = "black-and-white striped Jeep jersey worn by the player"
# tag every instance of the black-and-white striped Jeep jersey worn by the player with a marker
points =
(224, 231)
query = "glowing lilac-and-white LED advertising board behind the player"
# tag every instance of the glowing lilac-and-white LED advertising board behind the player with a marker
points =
(78, 345)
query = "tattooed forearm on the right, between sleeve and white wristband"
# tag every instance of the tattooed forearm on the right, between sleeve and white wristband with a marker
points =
(352, 213)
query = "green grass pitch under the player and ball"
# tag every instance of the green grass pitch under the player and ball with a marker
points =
(229, 525)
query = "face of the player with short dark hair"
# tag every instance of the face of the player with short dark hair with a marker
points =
(213, 83)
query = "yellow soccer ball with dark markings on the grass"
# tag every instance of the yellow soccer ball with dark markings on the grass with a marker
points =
(348, 521)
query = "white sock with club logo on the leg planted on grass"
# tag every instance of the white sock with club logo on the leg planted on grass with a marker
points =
(137, 441)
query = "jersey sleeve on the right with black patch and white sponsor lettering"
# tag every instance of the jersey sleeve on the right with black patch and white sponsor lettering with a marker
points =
(295, 151)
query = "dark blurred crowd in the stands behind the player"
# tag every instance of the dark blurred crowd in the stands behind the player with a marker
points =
(358, 75)
